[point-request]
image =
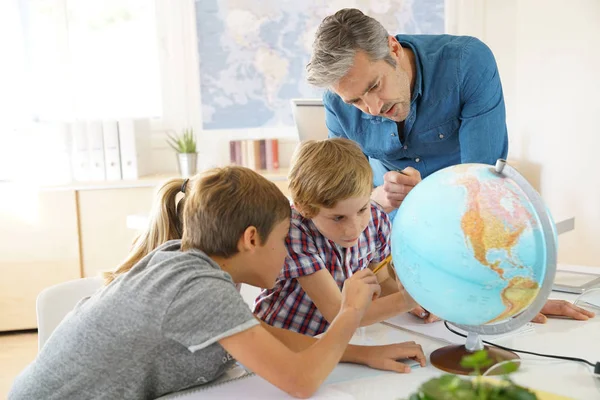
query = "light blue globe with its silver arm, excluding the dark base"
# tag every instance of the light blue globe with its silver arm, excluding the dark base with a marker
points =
(475, 245)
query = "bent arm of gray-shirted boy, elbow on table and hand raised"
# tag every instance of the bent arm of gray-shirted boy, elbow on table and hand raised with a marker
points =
(301, 373)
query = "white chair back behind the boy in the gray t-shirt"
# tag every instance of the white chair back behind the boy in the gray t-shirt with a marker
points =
(55, 302)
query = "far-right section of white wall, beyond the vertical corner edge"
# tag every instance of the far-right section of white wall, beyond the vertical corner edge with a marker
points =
(558, 113)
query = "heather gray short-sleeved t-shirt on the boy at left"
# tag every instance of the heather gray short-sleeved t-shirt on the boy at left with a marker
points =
(152, 331)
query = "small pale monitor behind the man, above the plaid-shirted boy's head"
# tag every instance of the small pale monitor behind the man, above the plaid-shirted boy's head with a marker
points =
(309, 116)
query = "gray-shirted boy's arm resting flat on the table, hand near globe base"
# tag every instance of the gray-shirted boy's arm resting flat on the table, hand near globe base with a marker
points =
(384, 357)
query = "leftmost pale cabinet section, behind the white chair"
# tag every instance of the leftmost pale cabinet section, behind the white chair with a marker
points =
(39, 247)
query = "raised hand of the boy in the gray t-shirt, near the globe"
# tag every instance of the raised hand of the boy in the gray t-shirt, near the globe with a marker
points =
(360, 290)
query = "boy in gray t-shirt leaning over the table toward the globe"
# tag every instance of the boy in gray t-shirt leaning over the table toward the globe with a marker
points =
(170, 316)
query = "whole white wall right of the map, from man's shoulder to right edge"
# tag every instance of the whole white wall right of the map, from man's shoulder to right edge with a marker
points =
(547, 53)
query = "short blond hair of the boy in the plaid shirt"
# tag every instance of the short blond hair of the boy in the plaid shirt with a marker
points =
(328, 171)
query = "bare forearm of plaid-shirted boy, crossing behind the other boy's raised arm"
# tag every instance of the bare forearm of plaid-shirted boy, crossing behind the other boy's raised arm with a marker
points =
(324, 292)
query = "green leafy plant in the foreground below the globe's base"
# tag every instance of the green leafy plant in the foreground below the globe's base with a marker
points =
(452, 387)
